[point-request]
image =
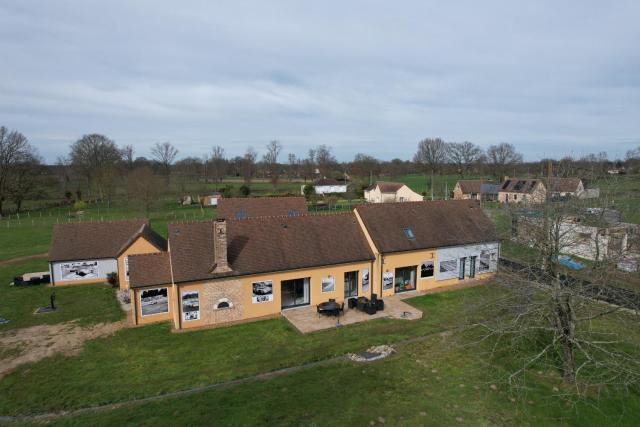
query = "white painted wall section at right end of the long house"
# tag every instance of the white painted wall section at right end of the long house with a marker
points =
(457, 252)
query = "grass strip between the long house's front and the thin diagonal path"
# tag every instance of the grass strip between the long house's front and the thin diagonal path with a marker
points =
(150, 360)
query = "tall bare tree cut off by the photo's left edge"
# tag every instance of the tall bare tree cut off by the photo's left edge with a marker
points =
(15, 151)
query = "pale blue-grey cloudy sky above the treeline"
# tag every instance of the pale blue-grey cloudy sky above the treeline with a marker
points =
(554, 78)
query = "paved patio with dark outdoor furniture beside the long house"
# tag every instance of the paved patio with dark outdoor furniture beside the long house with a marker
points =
(306, 319)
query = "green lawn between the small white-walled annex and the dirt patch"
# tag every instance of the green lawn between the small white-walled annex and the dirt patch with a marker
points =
(89, 304)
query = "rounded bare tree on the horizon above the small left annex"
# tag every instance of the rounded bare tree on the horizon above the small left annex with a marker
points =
(91, 155)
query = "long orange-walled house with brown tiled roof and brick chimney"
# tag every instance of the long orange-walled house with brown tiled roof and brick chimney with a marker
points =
(239, 269)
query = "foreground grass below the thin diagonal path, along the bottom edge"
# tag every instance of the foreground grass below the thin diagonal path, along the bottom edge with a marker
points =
(428, 383)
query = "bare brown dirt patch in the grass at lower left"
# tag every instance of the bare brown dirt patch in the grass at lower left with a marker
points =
(29, 345)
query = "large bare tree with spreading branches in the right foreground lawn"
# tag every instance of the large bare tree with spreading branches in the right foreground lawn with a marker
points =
(550, 319)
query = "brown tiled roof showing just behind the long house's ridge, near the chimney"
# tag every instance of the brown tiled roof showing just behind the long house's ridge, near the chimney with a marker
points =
(252, 207)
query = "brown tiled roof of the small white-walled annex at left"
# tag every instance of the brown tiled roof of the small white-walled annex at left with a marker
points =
(95, 240)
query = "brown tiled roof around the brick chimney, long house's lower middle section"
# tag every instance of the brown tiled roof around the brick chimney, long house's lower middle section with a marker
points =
(267, 244)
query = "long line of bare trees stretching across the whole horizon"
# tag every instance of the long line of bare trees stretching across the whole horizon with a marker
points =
(96, 167)
